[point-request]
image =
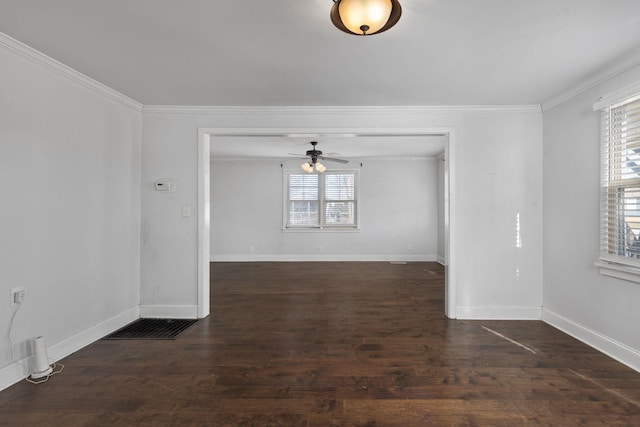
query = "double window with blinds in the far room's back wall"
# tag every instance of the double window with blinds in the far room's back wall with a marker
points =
(321, 201)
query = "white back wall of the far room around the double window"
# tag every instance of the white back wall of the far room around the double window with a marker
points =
(398, 213)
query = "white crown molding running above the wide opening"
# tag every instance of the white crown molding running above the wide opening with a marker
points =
(308, 110)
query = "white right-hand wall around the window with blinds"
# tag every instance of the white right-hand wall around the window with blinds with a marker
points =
(599, 310)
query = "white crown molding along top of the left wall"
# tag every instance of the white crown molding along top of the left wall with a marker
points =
(20, 49)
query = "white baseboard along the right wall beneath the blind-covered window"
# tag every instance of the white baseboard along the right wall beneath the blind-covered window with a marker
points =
(612, 348)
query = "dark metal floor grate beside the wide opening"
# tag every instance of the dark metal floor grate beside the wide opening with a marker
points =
(151, 329)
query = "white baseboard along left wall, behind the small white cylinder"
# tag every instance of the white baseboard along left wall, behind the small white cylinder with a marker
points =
(21, 369)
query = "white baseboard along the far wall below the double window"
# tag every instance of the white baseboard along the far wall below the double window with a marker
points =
(326, 258)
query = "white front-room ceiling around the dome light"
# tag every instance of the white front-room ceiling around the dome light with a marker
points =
(287, 53)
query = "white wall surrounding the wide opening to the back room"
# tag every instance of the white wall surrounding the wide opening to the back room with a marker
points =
(498, 175)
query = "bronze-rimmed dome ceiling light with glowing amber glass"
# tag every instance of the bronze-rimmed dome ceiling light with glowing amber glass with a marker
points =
(365, 17)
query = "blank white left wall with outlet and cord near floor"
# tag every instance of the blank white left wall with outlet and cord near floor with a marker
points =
(69, 223)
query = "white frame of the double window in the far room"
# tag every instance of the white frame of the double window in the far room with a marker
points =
(321, 226)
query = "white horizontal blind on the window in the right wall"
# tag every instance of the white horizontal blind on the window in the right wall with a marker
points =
(620, 182)
